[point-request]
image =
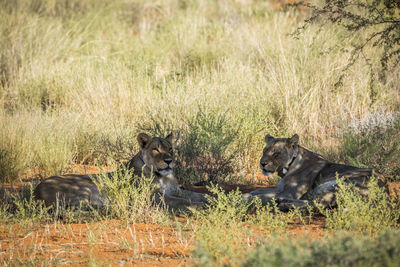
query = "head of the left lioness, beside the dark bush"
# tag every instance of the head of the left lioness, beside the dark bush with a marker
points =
(157, 154)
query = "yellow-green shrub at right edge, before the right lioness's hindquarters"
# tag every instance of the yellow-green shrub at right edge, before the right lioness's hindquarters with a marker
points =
(375, 212)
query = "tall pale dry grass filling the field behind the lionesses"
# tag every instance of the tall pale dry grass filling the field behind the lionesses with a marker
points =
(81, 78)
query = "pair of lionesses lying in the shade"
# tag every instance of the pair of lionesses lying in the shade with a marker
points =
(305, 176)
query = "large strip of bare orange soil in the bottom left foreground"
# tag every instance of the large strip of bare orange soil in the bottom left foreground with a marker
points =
(107, 242)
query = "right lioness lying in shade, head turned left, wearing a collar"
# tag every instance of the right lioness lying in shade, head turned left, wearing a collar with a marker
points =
(305, 175)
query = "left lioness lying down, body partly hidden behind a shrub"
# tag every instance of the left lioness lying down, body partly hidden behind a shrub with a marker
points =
(154, 158)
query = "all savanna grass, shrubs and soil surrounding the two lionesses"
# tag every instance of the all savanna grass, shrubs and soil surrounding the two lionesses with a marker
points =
(80, 79)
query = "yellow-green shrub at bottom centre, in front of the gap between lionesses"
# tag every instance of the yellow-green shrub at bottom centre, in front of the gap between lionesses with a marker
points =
(220, 231)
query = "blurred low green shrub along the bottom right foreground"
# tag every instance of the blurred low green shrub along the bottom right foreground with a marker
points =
(339, 250)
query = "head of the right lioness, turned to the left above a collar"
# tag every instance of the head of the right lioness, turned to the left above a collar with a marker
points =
(278, 154)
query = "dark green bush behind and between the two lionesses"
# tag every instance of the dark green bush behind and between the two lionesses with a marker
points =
(205, 150)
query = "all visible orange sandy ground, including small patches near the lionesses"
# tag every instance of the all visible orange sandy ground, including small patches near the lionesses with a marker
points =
(116, 243)
